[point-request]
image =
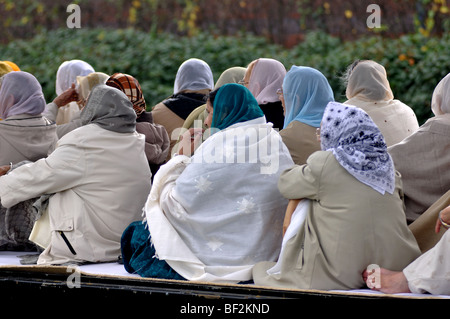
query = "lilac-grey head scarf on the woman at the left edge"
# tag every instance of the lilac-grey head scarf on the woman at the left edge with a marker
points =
(20, 93)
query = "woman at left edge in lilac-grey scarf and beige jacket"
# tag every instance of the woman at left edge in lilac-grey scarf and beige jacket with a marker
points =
(25, 135)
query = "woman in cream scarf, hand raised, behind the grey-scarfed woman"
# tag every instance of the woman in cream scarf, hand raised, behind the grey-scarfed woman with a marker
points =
(80, 93)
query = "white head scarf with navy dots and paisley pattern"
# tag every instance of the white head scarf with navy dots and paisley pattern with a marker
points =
(358, 146)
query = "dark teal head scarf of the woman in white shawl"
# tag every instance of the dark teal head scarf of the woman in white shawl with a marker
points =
(234, 103)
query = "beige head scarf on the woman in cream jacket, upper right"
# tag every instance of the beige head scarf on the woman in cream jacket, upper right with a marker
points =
(368, 80)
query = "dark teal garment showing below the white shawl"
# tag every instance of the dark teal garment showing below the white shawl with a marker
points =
(139, 255)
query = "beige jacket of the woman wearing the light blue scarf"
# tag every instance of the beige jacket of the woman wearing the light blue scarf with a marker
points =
(301, 140)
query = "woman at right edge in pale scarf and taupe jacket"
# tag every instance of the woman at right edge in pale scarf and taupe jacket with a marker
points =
(424, 156)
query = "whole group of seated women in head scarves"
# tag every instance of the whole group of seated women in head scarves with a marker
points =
(259, 177)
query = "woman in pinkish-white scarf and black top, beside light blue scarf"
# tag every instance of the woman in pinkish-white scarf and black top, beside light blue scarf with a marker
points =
(264, 77)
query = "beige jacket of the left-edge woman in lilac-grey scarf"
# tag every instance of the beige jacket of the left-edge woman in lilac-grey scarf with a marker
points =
(25, 137)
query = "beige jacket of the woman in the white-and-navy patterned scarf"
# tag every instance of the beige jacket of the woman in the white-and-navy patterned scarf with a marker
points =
(349, 227)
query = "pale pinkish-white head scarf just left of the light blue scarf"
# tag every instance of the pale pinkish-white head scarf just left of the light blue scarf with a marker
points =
(266, 79)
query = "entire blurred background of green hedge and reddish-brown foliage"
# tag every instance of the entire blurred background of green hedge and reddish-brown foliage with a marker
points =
(151, 38)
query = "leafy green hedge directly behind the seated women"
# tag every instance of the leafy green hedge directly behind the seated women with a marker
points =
(415, 64)
